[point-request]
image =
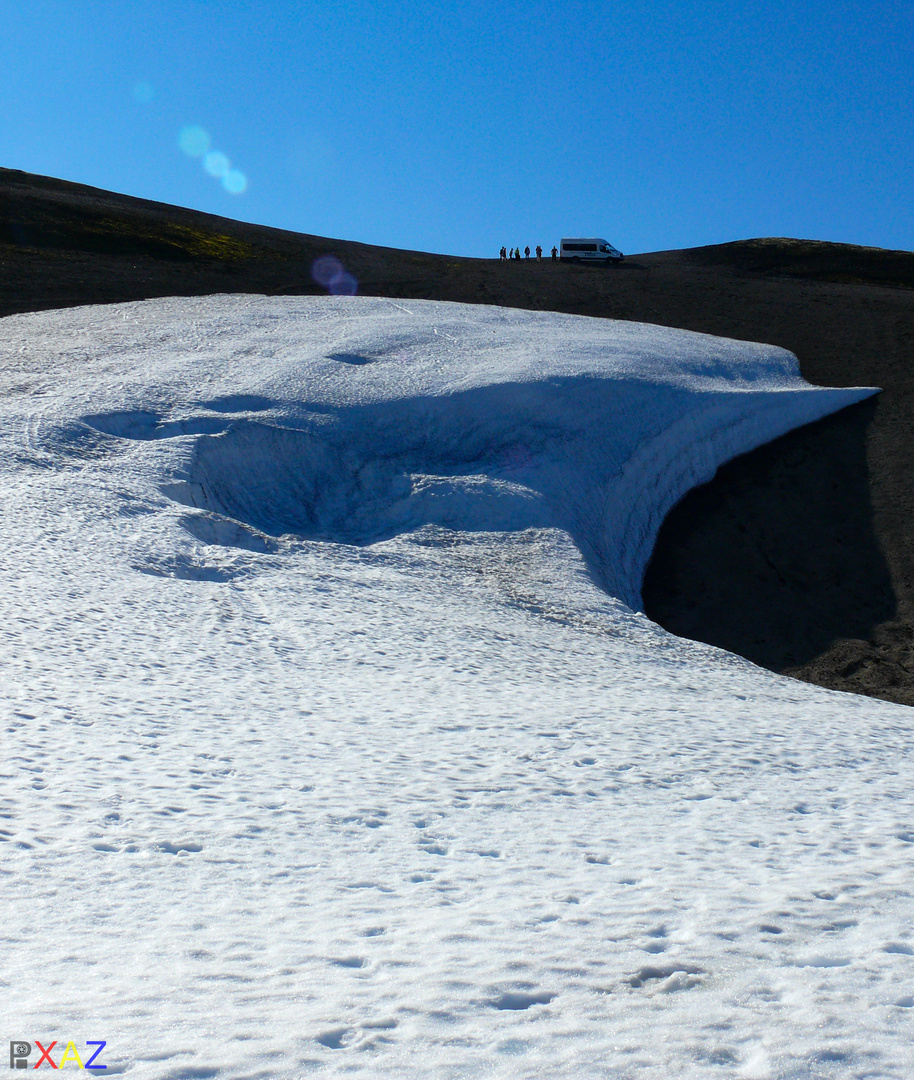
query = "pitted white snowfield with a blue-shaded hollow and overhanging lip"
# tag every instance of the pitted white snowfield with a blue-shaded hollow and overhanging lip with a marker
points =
(338, 745)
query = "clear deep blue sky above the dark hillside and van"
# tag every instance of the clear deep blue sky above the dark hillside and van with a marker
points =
(462, 126)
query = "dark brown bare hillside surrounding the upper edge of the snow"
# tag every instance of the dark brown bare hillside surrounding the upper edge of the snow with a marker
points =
(800, 556)
